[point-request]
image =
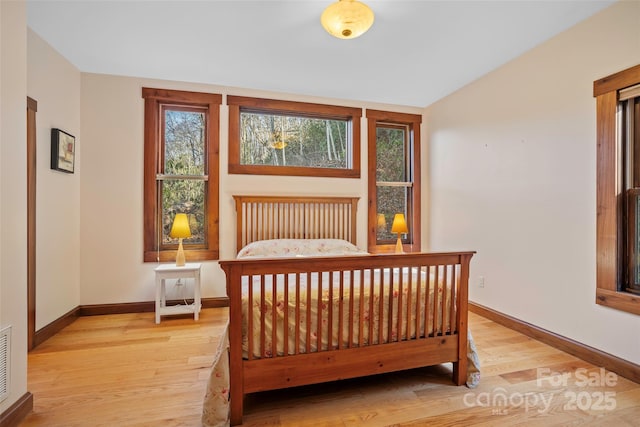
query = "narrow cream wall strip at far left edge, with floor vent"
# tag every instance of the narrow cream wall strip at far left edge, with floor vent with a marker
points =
(13, 191)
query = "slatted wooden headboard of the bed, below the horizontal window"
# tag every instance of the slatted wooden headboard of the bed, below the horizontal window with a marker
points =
(291, 217)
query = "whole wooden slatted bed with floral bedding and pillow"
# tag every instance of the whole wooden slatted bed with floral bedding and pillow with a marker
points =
(307, 306)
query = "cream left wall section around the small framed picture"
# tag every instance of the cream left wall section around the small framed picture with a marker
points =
(55, 84)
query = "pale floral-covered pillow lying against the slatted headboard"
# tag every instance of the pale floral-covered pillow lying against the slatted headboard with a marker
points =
(299, 247)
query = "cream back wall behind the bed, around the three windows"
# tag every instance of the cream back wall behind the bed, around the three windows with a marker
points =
(112, 270)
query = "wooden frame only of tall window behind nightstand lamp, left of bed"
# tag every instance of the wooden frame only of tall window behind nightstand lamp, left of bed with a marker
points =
(154, 99)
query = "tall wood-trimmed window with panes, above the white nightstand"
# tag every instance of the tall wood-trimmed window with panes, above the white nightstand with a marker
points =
(181, 172)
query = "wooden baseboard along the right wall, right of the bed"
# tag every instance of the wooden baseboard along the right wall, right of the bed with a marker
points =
(589, 354)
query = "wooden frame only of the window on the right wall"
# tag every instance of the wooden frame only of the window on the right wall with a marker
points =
(609, 193)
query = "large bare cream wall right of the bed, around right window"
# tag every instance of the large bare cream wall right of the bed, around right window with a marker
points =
(512, 163)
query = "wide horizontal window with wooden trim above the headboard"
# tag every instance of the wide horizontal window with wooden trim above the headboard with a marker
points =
(271, 137)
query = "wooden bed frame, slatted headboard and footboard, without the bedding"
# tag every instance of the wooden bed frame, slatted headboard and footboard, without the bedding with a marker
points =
(266, 217)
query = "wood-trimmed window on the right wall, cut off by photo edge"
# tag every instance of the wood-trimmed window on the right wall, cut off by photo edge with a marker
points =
(618, 190)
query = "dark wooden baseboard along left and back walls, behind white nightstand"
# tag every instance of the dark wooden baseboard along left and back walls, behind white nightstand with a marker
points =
(100, 309)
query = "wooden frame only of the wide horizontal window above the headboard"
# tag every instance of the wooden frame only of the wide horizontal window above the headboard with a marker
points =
(304, 109)
